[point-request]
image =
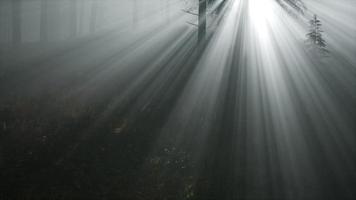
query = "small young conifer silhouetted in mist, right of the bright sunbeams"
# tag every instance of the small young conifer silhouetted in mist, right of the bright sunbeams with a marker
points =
(314, 37)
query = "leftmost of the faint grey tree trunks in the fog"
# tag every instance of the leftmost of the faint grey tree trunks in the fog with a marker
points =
(16, 21)
